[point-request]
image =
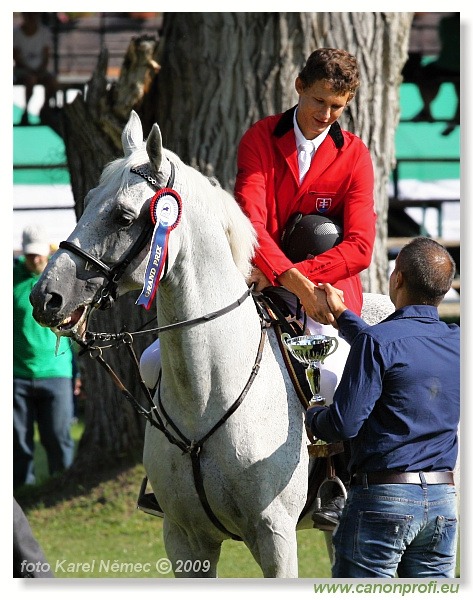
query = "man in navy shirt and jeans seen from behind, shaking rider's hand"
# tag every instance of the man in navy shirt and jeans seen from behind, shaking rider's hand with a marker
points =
(398, 403)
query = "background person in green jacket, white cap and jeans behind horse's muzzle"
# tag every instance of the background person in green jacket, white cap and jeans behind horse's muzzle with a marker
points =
(42, 377)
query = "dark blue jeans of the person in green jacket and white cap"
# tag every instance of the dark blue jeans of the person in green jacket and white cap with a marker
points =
(50, 403)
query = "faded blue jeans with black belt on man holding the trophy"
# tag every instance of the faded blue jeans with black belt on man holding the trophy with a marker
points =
(405, 528)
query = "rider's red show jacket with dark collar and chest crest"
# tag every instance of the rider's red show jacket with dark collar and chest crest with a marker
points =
(339, 184)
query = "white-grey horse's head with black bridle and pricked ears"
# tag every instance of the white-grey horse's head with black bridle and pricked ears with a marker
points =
(105, 255)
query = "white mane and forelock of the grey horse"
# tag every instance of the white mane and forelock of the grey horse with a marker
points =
(238, 228)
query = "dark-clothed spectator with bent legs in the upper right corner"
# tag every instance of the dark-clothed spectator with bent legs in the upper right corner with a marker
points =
(445, 67)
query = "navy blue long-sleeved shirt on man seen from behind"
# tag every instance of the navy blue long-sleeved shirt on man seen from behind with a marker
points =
(398, 401)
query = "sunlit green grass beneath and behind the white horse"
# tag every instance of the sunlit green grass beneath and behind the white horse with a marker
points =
(99, 533)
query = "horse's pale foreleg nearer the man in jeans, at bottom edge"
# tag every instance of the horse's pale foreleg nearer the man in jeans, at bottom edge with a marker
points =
(275, 546)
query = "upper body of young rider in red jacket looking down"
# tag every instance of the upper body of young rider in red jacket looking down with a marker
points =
(339, 184)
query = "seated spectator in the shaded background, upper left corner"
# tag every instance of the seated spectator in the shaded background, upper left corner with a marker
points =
(32, 44)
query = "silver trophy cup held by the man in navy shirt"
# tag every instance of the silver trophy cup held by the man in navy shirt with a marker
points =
(310, 350)
